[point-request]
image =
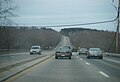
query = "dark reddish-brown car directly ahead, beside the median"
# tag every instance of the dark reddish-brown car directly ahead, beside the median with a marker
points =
(63, 52)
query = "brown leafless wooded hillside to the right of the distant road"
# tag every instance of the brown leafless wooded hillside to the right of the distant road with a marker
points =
(87, 38)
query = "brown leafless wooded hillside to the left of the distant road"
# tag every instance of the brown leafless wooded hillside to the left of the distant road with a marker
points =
(25, 37)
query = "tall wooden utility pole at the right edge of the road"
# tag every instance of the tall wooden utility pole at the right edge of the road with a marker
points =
(117, 30)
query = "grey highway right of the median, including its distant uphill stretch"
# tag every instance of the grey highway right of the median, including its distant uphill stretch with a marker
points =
(77, 69)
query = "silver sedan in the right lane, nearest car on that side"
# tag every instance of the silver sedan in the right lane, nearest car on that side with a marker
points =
(95, 52)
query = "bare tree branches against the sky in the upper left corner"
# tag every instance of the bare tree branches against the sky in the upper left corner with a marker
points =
(6, 12)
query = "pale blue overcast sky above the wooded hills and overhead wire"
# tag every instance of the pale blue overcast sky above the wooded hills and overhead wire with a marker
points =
(59, 12)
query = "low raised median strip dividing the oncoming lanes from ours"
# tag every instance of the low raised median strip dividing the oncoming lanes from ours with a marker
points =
(16, 70)
